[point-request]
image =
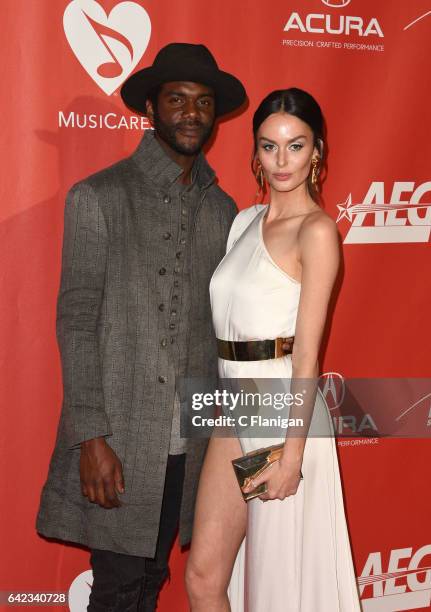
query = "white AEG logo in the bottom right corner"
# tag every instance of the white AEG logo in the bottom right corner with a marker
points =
(408, 570)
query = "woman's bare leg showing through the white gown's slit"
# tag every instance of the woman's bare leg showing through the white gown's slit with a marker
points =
(219, 528)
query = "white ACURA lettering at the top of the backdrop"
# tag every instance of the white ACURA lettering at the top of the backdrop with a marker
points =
(318, 23)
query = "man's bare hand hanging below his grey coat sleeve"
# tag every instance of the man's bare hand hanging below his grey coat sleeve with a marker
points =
(101, 473)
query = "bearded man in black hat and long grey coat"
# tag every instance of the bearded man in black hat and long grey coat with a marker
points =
(141, 241)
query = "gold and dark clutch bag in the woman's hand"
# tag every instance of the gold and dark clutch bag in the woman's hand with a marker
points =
(253, 464)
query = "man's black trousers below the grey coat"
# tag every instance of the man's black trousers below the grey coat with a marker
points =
(126, 583)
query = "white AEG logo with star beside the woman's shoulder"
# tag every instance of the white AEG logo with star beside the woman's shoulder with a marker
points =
(375, 220)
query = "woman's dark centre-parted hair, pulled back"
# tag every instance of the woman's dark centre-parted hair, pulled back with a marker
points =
(301, 104)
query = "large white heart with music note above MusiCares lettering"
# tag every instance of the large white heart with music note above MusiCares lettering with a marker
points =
(108, 46)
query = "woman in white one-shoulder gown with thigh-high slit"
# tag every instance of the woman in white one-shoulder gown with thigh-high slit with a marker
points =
(287, 550)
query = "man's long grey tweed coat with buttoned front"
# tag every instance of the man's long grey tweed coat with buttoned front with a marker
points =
(118, 381)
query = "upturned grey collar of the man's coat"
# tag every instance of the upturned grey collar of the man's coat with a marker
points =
(162, 170)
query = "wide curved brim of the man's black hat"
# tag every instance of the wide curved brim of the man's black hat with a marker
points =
(228, 90)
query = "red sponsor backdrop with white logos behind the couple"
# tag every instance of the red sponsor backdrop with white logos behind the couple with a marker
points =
(367, 64)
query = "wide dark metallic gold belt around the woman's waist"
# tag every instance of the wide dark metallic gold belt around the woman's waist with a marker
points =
(254, 350)
